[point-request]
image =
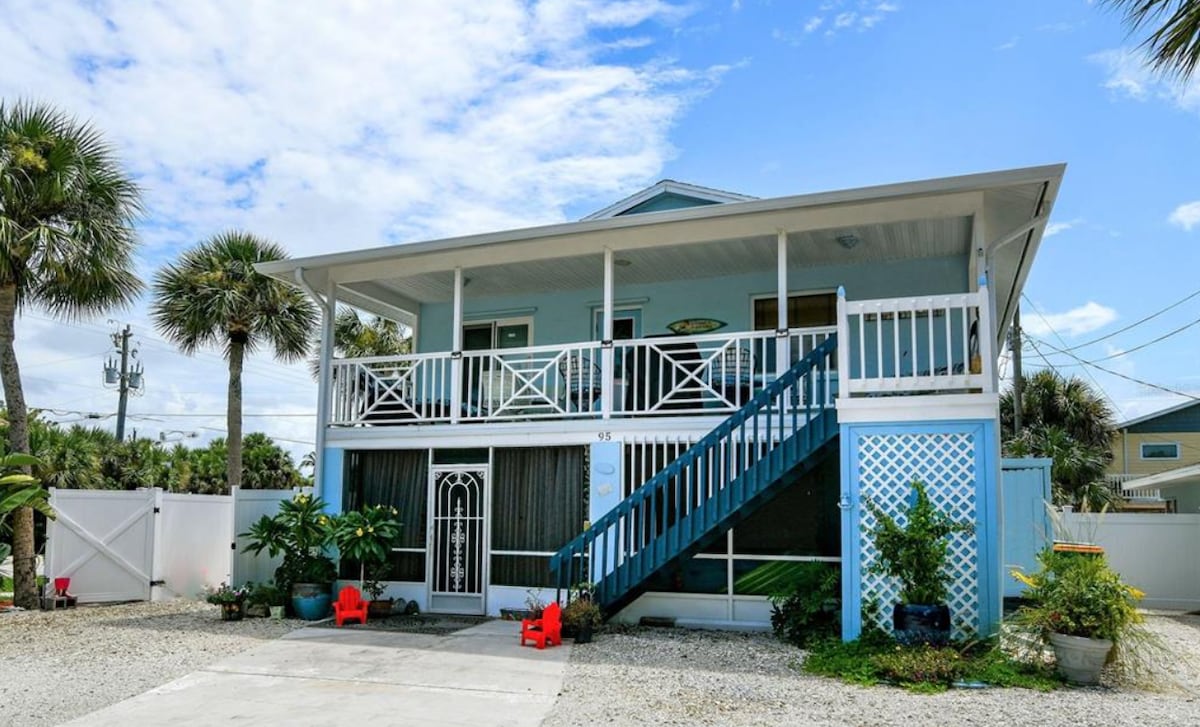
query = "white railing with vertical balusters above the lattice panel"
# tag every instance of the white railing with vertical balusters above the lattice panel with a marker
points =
(934, 344)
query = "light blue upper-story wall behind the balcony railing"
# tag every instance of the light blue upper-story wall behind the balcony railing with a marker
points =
(567, 317)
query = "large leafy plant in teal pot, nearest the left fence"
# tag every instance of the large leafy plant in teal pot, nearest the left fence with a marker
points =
(301, 531)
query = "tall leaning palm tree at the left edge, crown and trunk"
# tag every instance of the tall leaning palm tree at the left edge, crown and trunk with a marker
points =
(67, 247)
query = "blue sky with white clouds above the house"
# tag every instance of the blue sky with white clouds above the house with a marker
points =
(334, 127)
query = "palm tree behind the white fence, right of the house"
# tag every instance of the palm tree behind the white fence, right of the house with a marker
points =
(1065, 420)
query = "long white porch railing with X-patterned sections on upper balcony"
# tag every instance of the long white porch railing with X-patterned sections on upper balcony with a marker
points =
(674, 376)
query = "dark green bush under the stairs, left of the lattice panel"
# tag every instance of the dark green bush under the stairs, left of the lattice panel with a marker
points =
(812, 608)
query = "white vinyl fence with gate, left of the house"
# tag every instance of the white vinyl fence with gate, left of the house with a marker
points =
(152, 545)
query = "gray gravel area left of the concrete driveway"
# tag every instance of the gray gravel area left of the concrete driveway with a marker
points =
(59, 665)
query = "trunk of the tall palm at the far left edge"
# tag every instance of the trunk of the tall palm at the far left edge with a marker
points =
(25, 557)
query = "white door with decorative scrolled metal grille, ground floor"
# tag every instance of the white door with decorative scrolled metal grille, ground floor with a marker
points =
(459, 532)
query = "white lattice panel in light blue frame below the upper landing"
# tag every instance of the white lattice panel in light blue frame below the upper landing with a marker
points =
(959, 464)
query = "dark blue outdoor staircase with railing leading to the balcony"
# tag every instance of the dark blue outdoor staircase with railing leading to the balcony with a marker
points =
(782, 431)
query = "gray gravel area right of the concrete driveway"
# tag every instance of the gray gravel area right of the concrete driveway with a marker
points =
(676, 677)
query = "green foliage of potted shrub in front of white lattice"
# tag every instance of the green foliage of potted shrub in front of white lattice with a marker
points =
(916, 552)
